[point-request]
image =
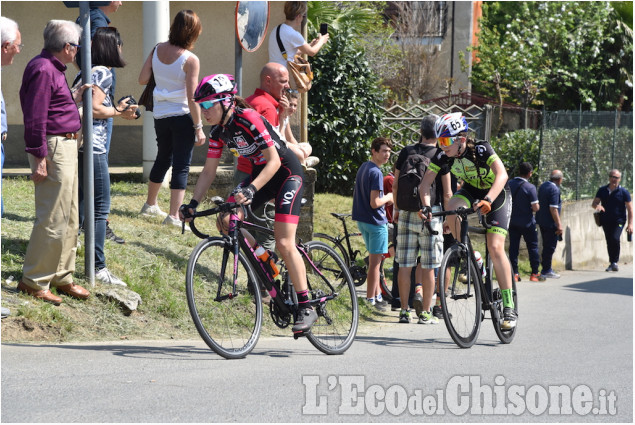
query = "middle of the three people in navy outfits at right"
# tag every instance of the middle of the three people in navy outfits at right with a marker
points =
(548, 218)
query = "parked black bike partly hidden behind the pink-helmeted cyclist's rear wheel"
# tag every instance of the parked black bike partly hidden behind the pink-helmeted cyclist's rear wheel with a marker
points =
(356, 261)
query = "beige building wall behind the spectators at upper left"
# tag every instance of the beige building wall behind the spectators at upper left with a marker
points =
(215, 49)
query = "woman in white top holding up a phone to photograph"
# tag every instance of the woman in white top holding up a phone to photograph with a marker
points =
(291, 37)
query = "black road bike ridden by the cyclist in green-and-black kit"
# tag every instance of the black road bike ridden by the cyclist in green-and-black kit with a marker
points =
(468, 295)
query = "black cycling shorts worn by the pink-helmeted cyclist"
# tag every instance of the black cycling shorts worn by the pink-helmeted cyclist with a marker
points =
(285, 186)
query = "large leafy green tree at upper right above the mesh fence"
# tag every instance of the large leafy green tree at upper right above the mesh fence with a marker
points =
(562, 54)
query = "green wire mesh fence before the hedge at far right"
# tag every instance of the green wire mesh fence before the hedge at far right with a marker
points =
(586, 145)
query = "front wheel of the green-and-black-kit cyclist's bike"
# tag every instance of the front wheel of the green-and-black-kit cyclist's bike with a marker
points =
(461, 302)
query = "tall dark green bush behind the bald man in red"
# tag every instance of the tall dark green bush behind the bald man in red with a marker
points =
(344, 112)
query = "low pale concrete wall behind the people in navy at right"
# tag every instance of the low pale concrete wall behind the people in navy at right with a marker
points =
(583, 245)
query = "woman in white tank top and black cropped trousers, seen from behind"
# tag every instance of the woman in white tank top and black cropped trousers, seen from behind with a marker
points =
(177, 118)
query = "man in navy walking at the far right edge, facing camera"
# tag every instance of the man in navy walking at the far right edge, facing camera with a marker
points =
(614, 201)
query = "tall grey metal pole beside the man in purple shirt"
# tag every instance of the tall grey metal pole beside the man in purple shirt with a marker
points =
(87, 127)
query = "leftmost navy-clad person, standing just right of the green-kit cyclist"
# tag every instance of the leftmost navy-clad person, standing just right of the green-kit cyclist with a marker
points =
(522, 223)
